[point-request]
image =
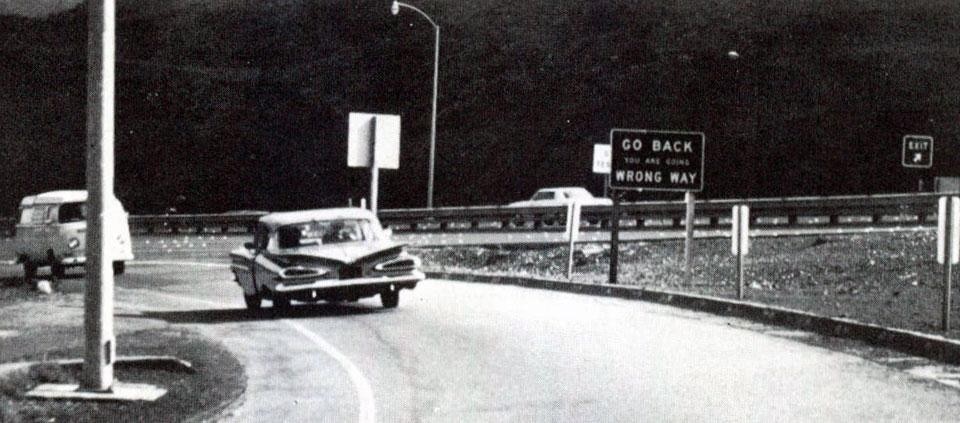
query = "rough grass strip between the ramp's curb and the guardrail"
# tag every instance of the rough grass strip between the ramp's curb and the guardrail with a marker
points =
(889, 279)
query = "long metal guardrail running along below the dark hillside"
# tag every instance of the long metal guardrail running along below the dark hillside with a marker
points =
(870, 210)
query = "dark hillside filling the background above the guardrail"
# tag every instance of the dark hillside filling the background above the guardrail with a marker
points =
(243, 105)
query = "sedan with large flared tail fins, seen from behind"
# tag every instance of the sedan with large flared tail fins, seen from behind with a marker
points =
(339, 254)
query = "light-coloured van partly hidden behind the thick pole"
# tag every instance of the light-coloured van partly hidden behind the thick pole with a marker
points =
(51, 231)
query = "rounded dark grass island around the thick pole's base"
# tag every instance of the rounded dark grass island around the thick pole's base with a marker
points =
(217, 381)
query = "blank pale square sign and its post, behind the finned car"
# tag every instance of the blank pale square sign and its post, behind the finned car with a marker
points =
(373, 141)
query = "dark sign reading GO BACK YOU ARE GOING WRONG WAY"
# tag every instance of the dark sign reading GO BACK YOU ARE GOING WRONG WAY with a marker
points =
(656, 160)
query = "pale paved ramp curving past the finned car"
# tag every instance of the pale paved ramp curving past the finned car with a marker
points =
(467, 352)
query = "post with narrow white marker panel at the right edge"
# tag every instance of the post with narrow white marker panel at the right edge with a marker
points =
(948, 248)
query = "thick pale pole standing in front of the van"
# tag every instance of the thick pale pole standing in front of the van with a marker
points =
(100, 347)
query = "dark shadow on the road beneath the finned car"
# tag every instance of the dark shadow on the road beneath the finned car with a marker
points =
(242, 314)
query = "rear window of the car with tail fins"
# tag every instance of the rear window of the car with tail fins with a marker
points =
(320, 232)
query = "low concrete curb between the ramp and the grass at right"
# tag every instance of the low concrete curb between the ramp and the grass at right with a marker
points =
(915, 343)
